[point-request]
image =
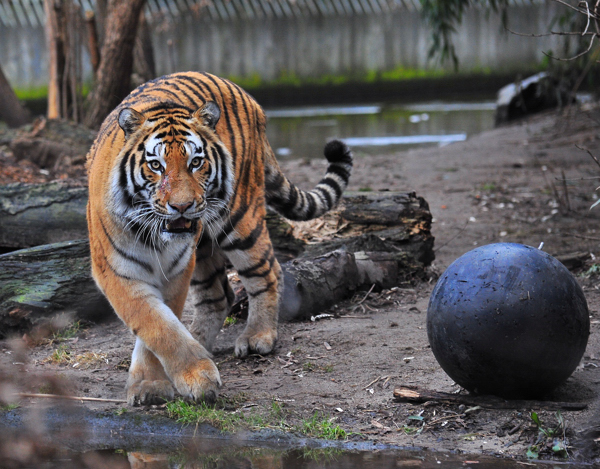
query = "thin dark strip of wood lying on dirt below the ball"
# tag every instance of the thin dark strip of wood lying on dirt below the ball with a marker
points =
(416, 395)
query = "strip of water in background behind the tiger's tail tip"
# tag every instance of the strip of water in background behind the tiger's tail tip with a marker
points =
(374, 128)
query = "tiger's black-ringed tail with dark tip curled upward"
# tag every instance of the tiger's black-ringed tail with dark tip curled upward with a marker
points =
(297, 204)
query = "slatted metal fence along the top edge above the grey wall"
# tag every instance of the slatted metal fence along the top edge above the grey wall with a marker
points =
(31, 12)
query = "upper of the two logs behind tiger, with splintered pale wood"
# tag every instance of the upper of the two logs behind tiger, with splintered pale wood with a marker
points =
(36, 214)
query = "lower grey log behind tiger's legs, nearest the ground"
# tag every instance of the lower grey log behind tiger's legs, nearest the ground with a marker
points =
(37, 283)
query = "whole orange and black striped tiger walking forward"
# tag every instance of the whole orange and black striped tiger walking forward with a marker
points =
(180, 176)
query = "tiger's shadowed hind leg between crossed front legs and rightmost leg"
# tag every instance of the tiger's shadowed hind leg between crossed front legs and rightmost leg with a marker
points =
(214, 295)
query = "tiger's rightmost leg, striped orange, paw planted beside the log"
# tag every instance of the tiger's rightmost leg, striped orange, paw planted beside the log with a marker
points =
(261, 274)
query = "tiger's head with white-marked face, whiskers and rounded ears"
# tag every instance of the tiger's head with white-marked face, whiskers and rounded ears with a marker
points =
(175, 175)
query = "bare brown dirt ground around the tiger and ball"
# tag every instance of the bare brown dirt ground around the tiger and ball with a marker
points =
(504, 185)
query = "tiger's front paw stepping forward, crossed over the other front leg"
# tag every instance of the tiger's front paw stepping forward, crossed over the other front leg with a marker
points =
(199, 382)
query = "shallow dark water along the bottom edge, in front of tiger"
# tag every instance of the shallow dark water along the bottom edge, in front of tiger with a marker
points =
(79, 438)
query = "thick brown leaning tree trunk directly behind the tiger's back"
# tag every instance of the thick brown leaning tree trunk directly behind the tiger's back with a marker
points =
(116, 60)
